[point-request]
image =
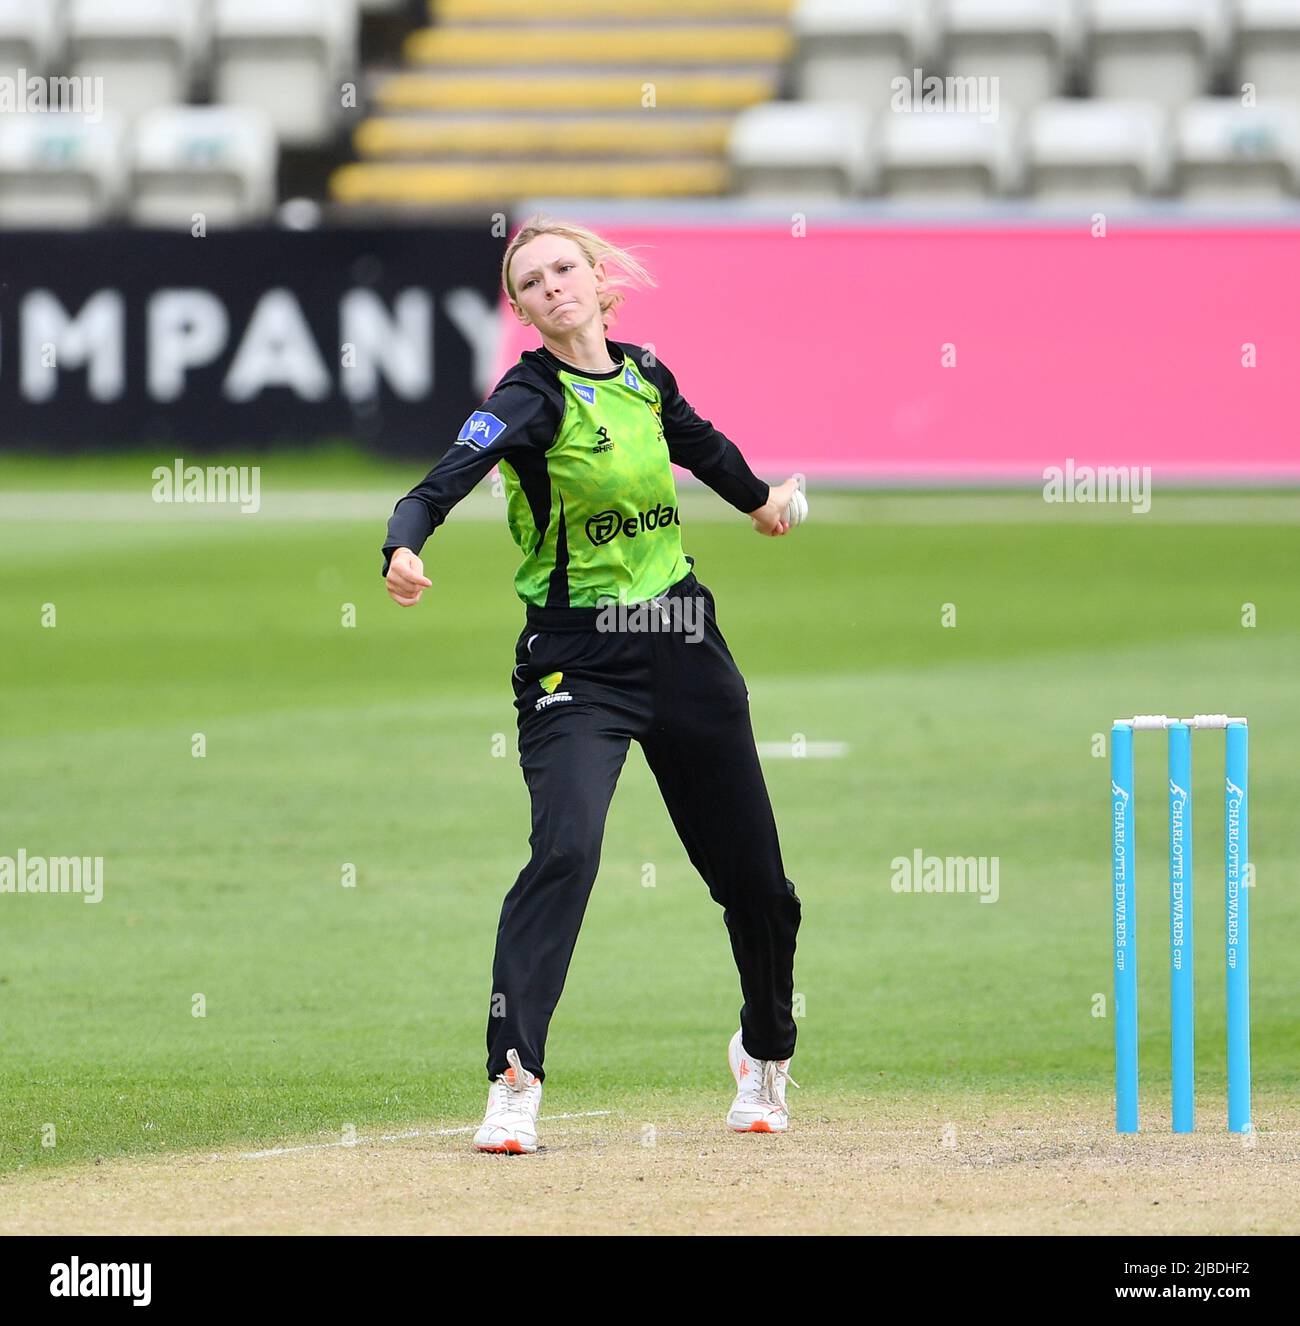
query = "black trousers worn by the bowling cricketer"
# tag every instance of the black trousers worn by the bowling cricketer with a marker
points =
(679, 693)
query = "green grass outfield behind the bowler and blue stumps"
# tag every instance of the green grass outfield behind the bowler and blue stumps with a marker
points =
(328, 1007)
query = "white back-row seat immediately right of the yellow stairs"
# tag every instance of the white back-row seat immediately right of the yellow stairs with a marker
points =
(854, 50)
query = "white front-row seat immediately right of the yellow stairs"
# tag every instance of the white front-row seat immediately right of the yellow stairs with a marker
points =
(803, 149)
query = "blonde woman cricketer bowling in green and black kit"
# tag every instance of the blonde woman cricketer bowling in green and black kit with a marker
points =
(621, 644)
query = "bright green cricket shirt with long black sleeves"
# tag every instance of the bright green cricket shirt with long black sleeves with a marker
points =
(587, 465)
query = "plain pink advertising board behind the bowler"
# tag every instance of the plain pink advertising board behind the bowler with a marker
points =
(978, 353)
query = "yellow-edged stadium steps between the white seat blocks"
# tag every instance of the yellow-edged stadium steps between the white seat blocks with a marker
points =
(502, 100)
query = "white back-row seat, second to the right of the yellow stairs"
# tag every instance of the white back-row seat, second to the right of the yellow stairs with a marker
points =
(1030, 46)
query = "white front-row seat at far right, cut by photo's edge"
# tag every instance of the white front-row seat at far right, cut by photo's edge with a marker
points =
(1229, 152)
